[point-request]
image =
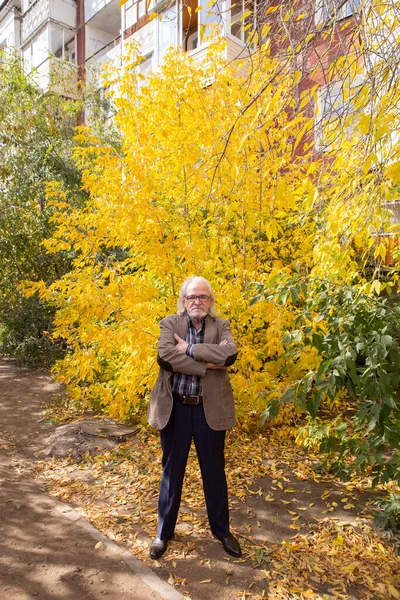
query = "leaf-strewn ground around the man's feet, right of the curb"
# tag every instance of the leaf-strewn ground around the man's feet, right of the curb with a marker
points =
(324, 552)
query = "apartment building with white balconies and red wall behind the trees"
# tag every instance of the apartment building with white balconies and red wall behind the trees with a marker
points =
(67, 40)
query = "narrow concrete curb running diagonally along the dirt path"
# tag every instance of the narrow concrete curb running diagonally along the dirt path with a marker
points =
(144, 573)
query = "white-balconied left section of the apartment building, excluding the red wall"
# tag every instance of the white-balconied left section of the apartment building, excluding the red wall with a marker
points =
(47, 34)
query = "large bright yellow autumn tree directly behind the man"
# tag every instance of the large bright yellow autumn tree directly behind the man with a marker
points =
(216, 177)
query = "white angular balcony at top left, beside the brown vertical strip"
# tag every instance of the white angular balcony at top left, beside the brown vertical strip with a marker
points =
(60, 11)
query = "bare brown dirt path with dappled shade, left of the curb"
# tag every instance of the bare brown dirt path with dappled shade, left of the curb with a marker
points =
(47, 550)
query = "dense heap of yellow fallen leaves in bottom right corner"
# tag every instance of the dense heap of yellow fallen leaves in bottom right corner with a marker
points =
(337, 557)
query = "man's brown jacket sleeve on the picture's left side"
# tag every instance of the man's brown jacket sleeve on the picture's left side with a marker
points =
(170, 359)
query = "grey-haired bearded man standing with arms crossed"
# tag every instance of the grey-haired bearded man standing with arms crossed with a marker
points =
(193, 398)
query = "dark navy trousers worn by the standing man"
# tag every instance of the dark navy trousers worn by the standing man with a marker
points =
(187, 422)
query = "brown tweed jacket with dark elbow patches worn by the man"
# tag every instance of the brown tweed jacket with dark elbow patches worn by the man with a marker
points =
(218, 401)
